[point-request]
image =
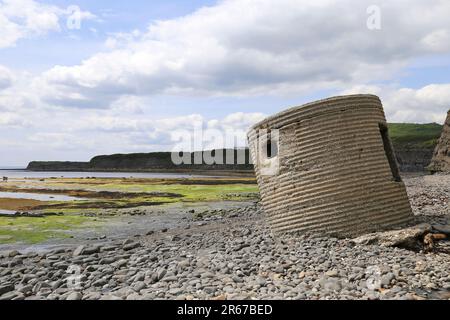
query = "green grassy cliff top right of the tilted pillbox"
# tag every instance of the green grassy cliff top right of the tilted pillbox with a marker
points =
(412, 135)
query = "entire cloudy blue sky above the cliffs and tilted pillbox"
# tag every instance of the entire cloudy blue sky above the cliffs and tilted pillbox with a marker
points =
(82, 78)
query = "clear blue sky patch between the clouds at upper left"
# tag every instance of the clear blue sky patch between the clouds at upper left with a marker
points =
(71, 47)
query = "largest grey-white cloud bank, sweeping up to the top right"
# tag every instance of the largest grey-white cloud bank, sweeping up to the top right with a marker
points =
(253, 47)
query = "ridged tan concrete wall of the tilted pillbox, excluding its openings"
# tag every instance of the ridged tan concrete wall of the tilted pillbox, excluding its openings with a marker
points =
(334, 175)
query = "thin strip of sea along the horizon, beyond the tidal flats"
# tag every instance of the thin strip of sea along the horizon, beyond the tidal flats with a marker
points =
(15, 174)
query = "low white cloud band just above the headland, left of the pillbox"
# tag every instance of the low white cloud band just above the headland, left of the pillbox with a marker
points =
(104, 133)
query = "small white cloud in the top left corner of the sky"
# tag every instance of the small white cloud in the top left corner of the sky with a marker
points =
(26, 18)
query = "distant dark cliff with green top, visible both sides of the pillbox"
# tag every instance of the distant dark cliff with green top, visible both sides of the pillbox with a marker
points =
(414, 145)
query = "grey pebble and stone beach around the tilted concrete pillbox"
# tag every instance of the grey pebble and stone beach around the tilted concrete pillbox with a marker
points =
(230, 254)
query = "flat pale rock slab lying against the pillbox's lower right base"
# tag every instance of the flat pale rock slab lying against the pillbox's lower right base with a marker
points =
(407, 237)
